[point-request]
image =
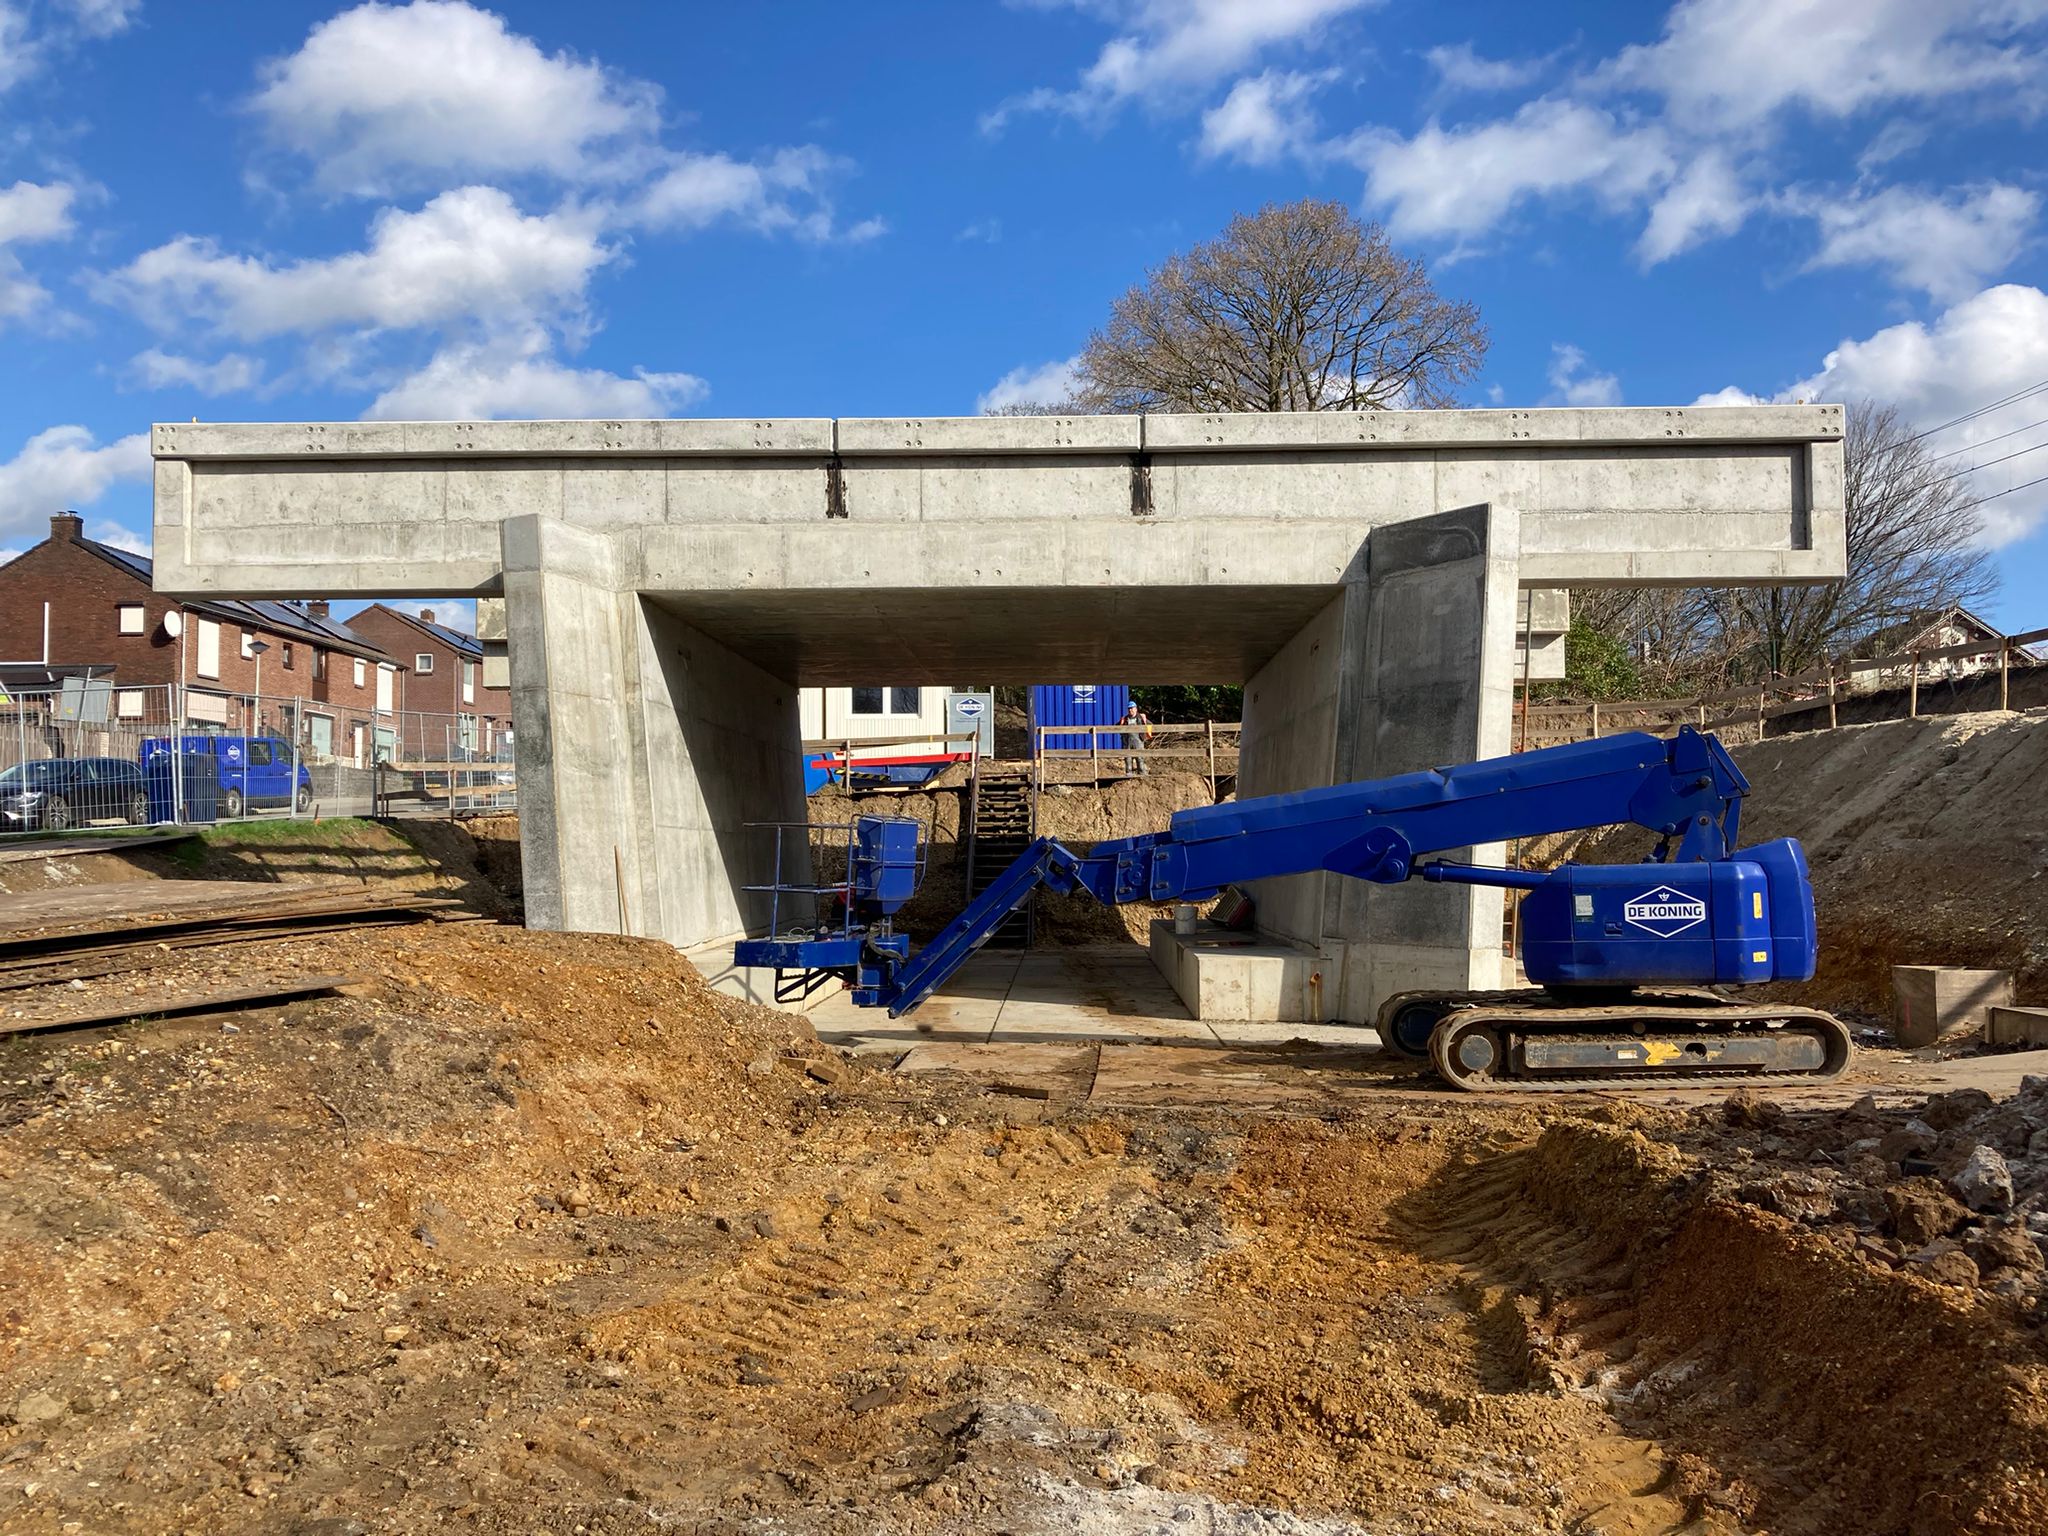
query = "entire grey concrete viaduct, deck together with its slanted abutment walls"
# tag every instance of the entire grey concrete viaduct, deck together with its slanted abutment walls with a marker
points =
(671, 585)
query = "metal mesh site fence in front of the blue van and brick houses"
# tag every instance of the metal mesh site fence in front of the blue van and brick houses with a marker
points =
(95, 755)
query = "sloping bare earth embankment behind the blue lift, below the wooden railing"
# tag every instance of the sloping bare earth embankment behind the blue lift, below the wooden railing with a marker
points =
(1928, 845)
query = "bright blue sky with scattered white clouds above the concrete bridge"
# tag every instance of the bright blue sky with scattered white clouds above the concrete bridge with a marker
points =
(275, 212)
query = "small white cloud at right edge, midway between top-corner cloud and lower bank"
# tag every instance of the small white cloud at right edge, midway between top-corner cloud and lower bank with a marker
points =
(1947, 247)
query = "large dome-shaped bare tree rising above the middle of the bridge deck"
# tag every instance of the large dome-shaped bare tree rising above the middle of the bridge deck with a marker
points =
(1293, 308)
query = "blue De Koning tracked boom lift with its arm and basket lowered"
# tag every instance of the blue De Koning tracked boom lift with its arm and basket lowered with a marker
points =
(1629, 959)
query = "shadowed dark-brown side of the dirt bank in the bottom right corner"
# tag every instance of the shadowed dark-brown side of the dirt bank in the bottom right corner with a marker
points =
(1826, 1392)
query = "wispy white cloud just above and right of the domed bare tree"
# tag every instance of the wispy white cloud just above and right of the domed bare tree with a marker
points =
(1463, 181)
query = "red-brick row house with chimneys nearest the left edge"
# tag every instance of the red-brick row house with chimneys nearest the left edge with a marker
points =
(73, 607)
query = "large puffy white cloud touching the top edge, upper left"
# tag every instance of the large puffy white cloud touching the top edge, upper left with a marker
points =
(388, 97)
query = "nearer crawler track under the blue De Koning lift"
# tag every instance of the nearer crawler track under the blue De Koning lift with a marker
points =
(1699, 1043)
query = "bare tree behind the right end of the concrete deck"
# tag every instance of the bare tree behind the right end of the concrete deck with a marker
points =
(1914, 554)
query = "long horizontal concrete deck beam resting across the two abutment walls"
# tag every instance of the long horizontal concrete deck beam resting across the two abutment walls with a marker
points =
(376, 509)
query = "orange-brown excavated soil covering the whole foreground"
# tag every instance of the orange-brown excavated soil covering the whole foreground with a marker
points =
(536, 1234)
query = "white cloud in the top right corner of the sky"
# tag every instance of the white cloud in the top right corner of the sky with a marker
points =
(1732, 65)
